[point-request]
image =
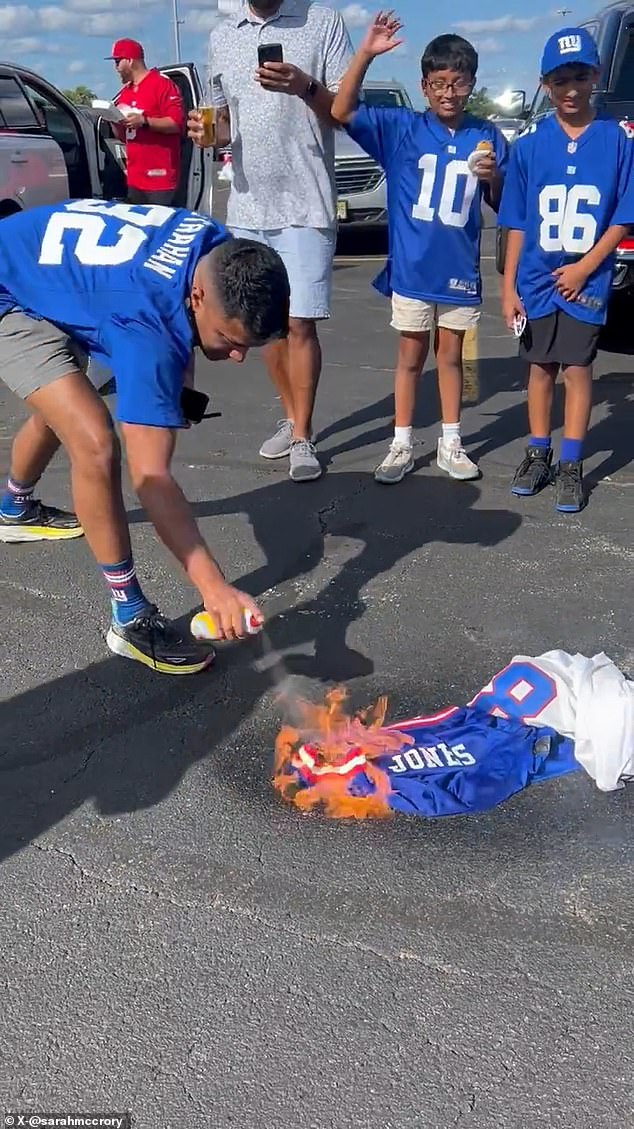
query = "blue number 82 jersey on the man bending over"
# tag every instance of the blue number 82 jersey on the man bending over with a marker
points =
(115, 277)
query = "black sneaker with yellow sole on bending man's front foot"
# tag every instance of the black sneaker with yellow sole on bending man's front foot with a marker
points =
(155, 642)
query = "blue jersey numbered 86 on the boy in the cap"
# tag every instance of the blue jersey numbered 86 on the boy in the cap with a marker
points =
(563, 196)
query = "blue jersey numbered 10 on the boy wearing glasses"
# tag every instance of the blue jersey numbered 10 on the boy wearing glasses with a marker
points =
(434, 202)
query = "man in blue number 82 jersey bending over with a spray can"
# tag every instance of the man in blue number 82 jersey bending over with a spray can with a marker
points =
(137, 288)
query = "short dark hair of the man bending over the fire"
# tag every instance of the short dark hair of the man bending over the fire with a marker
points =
(253, 286)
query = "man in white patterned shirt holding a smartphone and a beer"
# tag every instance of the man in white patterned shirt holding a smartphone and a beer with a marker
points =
(274, 71)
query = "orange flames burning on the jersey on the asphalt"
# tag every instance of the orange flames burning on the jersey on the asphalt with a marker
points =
(318, 758)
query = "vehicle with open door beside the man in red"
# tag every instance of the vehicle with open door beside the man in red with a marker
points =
(51, 150)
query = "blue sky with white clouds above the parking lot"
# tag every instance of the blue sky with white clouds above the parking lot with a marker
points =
(68, 42)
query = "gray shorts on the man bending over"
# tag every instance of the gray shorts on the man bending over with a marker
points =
(36, 354)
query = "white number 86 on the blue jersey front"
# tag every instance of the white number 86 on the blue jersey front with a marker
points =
(563, 226)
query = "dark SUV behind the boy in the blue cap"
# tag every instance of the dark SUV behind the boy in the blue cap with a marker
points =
(613, 30)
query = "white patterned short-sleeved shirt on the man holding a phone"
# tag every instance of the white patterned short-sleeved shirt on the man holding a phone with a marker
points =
(284, 156)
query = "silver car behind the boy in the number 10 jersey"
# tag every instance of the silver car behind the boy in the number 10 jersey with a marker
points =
(360, 180)
